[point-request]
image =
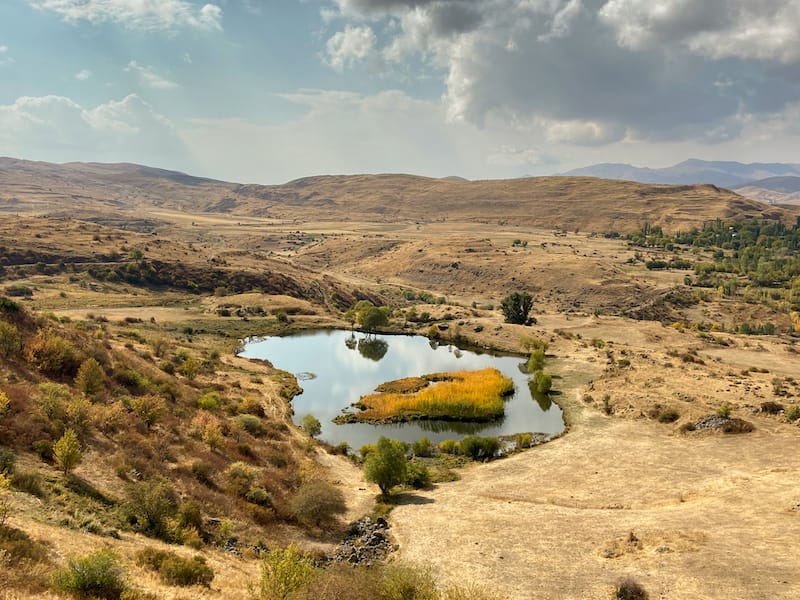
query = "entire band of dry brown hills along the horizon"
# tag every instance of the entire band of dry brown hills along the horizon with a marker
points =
(572, 203)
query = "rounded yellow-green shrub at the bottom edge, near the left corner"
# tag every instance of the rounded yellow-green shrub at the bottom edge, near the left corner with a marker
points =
(96, 575)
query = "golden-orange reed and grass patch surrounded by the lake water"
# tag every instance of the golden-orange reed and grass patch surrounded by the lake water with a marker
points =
(457, 396)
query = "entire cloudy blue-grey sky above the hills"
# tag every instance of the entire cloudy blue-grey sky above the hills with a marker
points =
(265, 91)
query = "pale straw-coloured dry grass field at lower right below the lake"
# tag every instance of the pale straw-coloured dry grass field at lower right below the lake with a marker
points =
(711, 516)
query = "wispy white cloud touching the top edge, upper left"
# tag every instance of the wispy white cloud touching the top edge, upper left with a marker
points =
(136, 14)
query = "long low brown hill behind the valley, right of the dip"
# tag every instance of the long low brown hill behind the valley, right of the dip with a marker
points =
(583, 203)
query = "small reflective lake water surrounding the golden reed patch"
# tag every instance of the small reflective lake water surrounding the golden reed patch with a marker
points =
(335, 368)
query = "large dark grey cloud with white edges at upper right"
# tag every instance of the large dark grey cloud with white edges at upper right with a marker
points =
(596, 72)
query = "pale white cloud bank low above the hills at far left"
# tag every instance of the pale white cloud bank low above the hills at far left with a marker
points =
(59, 129)
